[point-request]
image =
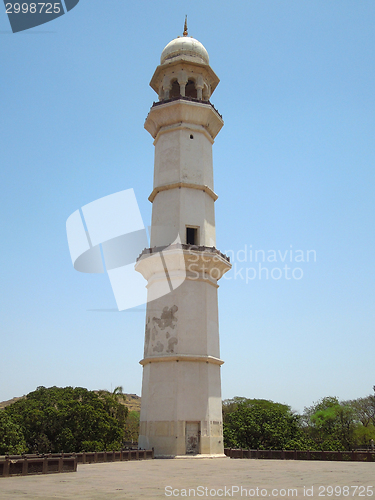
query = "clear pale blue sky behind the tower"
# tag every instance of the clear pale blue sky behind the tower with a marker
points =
(293, 166)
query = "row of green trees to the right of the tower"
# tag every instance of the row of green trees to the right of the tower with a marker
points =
(329, 424)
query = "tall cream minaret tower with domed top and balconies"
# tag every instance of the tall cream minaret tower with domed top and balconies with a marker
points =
(181, 410)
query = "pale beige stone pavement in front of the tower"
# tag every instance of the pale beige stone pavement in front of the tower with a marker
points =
(153, 479)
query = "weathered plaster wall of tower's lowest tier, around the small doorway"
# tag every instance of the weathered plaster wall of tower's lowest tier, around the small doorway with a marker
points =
(177, 392)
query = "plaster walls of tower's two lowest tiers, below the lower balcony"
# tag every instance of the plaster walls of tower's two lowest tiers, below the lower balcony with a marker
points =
(174, 391)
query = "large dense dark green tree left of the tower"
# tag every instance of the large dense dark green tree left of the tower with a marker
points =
(68, 419)
